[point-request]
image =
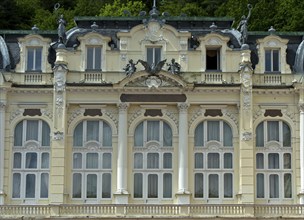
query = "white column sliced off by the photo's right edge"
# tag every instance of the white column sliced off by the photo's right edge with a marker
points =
(301, 194)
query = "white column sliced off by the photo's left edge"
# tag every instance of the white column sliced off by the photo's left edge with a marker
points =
(2, 131)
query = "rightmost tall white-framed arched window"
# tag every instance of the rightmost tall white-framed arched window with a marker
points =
(273, 160)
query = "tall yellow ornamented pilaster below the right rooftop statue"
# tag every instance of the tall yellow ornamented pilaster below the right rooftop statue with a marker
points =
(246, 150)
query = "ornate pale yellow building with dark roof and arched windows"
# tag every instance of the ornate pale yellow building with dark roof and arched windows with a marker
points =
(151, 117)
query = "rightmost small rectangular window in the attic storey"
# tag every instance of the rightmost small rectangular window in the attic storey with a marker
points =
(272, 60)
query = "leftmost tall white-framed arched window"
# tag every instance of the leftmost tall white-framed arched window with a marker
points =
(31, 160)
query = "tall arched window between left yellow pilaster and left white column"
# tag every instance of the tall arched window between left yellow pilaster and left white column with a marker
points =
(92, 160)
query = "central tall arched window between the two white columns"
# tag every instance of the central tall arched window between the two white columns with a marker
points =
(152, 161)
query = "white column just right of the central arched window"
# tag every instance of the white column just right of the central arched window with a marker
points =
(183, 188)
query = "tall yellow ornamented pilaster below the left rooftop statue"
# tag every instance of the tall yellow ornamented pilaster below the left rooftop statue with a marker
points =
(57, 190)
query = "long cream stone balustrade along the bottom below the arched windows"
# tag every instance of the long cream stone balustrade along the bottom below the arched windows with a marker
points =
(157, 211)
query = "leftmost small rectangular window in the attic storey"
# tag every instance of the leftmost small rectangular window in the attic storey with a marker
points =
(34, 59)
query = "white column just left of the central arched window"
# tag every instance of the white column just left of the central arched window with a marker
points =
(121, 192)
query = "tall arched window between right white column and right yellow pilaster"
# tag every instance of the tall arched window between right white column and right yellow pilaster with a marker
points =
(213, 160)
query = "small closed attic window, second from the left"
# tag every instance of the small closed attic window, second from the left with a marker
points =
(94, 58)
